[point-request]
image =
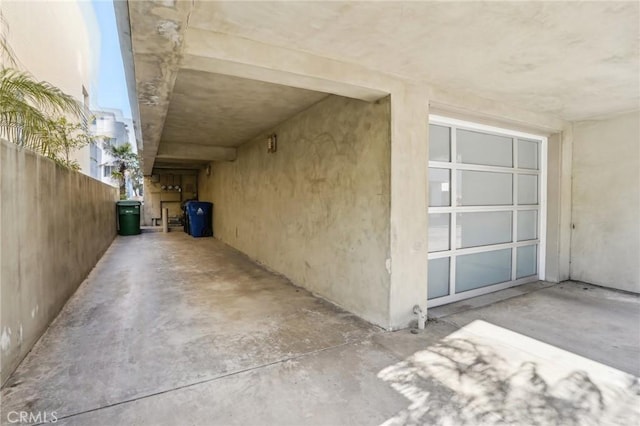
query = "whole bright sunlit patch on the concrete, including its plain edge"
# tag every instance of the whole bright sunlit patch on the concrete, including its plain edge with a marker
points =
(486, 375)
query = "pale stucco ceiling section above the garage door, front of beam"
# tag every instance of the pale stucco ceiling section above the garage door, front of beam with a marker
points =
(574, 60)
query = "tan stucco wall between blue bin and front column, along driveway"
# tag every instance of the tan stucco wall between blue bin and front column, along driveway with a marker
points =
(317, 210)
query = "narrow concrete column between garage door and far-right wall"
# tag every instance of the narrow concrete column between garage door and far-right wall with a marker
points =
(558, 243)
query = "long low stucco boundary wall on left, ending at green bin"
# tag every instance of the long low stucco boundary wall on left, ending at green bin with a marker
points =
(55, 225)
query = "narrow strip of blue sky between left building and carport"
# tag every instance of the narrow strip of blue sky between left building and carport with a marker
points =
(112, 86)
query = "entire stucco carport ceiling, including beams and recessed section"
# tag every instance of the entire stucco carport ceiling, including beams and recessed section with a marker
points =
(567, 60)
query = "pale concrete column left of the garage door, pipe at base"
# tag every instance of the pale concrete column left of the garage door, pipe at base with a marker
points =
(409, 186)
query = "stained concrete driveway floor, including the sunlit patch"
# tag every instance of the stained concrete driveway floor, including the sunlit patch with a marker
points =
(171, 330)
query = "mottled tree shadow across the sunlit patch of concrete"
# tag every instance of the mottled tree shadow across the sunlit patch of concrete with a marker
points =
(462, 382)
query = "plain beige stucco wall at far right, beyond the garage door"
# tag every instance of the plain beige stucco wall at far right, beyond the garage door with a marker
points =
(605, 241)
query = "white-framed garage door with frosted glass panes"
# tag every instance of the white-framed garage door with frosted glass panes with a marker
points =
(486, 209)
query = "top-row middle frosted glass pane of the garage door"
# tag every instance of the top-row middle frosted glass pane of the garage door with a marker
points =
(483, 148)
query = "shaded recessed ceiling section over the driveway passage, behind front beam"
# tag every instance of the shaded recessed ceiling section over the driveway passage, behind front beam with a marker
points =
(214, 109)
